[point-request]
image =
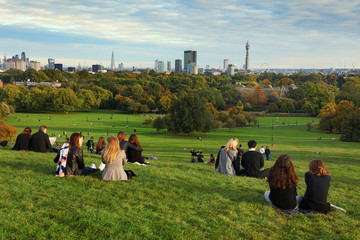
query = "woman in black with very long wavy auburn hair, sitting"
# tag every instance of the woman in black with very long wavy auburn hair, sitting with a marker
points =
(283, 181)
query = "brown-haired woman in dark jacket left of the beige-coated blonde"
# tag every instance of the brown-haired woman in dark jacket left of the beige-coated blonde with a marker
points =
(75, 163)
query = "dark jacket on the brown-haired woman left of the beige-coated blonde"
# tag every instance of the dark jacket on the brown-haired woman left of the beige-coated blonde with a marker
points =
(75, 161)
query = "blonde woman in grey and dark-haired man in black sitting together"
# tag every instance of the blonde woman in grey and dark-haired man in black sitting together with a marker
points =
(229, 159)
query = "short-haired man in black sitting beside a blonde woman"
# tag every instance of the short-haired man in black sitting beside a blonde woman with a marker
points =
(253, 161)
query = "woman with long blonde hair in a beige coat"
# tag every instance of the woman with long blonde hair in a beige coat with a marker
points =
(114, 159)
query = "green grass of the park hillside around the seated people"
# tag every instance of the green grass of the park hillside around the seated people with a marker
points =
(173, 199)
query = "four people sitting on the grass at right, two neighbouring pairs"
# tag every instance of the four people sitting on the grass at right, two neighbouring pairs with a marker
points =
(281, 177)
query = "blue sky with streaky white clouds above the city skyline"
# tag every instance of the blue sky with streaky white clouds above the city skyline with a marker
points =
(281, 34)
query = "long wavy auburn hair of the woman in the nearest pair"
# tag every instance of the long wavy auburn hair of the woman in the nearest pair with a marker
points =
(282, 175)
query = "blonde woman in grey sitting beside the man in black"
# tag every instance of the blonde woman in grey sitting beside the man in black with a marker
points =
(227, 156)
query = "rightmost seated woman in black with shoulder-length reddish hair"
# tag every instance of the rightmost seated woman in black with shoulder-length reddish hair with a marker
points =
(317, 181)
